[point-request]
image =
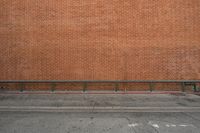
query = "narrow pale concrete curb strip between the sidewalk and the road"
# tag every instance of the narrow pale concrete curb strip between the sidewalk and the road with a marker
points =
(96, 109)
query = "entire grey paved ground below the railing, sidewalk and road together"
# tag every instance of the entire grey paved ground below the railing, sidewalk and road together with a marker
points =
(148, 121)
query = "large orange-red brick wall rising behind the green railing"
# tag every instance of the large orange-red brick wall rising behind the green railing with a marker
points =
(99, 39)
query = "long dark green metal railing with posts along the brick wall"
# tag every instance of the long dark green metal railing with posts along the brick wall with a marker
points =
(194, 83)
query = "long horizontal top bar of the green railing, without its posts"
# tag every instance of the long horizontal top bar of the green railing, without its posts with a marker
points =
(100, 81)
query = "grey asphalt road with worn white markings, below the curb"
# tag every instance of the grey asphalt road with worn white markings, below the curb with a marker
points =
(33, 122)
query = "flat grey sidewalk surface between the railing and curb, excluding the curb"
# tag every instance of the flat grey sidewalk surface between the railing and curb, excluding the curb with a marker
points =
(100, 100)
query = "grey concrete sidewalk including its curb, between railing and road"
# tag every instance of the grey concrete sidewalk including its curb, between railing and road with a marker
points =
(100, 103)
